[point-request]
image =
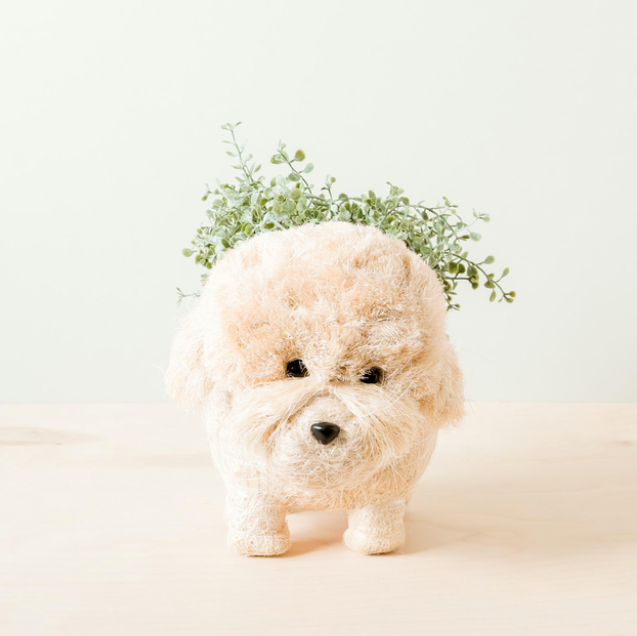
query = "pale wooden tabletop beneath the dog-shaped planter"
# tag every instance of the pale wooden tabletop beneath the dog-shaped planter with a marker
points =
(111, 523)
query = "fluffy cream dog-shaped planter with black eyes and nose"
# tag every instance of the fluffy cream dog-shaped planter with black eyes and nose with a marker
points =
(319, 359)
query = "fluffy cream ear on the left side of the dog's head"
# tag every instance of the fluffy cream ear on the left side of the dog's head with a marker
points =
(186, 378)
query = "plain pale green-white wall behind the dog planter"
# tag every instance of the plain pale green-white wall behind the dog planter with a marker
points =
(110, 128)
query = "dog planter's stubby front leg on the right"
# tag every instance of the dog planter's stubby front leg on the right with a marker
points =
(376, 528)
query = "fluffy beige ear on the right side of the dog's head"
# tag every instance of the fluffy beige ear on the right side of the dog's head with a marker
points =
(446, 404)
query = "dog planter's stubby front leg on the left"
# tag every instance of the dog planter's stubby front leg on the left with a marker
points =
(256, 526)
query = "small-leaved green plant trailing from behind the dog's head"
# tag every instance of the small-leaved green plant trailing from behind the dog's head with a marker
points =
(253, 205)
